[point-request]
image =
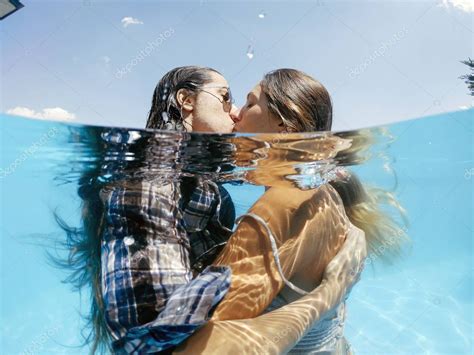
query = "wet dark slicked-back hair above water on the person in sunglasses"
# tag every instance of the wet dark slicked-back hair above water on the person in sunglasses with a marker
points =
(165, 112)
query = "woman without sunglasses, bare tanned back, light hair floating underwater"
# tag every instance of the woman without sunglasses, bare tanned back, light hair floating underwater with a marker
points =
(288, 240)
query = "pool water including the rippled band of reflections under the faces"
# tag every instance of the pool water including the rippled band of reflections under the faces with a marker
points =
(423, 303)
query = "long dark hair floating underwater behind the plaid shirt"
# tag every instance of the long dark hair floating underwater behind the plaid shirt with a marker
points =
(83, 245)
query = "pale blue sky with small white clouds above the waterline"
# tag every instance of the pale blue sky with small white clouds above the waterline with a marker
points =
(382, 61)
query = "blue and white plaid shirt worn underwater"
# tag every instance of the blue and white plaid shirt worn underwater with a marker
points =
(152, 302)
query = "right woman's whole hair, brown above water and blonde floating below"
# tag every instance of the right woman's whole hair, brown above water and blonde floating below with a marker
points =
(304, 105)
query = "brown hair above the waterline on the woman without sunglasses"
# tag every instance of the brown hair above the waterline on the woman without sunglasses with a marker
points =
(302, 102)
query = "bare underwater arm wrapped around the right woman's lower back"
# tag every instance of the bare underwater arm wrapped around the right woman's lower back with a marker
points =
(278, 331)
